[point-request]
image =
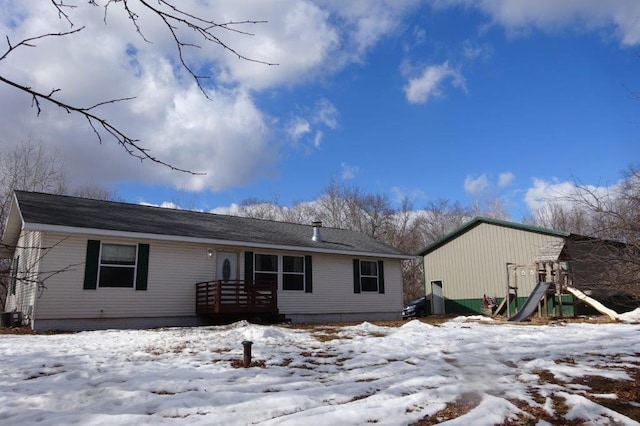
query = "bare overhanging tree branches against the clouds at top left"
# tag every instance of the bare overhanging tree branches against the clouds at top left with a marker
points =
(177, 20)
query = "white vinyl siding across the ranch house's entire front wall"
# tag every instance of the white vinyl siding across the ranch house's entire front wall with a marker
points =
(175, 268)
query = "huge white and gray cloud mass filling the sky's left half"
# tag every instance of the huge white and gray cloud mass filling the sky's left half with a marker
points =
(228, 137)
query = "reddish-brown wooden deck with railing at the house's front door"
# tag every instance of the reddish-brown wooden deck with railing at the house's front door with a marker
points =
(237, 299)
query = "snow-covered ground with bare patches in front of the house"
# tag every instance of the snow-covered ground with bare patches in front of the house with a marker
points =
(349, 375)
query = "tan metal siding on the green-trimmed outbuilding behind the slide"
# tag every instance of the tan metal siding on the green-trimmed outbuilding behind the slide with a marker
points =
(475, 263)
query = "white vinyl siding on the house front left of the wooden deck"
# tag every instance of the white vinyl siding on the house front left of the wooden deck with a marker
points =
(174, 269)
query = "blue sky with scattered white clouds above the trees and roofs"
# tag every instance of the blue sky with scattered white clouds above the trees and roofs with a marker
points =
(428, 100)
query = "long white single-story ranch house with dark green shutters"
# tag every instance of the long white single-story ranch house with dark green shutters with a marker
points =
(81, 264)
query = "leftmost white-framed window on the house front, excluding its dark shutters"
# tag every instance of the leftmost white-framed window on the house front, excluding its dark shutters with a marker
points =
(117, 265)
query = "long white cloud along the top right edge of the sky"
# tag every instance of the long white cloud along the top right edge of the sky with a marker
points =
(519, 17)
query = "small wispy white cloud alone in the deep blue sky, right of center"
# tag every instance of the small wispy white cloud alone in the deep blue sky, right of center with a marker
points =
(429, 83)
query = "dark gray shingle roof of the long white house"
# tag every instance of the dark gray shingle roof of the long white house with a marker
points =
(65, 211)
